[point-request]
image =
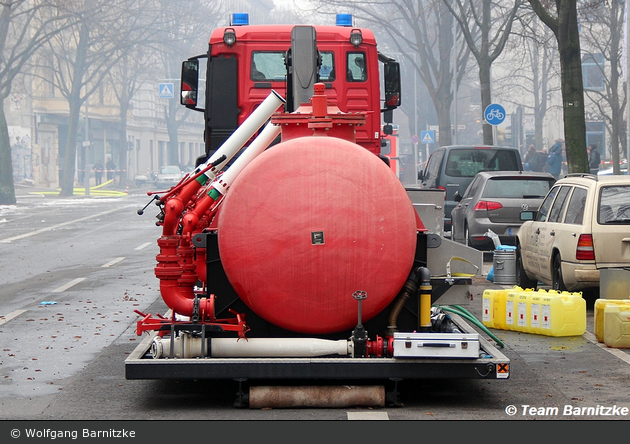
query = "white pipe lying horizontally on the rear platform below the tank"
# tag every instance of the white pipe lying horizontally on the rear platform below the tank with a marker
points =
(185, 346)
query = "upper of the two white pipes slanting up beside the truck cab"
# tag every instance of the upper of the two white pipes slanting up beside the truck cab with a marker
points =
(242, 134)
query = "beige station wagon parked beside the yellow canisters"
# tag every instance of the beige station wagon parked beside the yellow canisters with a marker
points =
(582, 226)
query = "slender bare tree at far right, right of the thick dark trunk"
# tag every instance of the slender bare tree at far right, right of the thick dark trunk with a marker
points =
(602, 30)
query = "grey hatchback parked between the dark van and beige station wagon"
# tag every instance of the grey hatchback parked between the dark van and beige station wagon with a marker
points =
(494, 201)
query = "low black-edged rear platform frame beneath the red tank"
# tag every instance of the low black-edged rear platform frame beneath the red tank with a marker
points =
(491, 364)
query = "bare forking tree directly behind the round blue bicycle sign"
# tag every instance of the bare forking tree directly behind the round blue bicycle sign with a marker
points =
(493, 22)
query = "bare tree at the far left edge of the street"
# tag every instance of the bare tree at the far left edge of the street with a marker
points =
(24, 27)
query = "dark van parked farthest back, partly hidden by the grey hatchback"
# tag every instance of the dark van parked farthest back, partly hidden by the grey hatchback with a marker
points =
(452, 168)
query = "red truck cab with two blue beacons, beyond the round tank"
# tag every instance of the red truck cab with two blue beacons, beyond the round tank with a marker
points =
(246, 62)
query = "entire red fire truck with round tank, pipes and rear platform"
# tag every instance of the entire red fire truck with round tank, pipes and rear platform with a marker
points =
(307, 259)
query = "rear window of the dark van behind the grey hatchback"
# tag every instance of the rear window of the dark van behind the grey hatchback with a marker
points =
(468, 162)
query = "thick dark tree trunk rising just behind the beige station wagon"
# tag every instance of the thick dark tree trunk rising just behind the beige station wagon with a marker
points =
(562, 18)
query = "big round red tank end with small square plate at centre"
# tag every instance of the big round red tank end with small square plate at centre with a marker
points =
(310, 222)
